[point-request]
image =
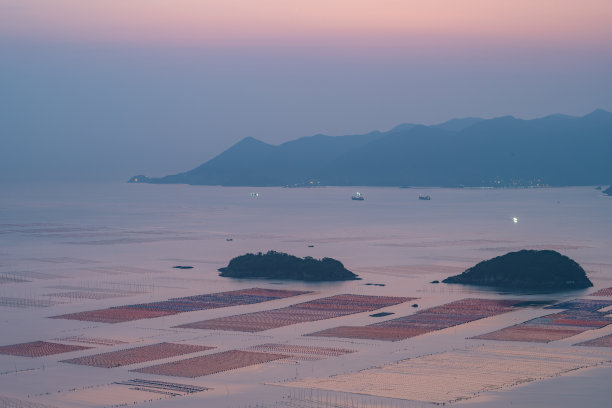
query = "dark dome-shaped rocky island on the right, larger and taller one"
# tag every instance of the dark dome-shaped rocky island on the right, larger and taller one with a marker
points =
(527, 269)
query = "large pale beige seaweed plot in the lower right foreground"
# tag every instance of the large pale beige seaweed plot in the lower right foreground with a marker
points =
(458, 375)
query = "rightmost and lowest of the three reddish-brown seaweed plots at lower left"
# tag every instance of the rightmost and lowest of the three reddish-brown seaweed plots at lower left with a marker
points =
(211, 363)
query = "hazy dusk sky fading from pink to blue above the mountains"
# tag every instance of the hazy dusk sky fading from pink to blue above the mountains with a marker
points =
(101, 90)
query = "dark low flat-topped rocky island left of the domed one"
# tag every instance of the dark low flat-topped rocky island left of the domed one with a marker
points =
(278, 265)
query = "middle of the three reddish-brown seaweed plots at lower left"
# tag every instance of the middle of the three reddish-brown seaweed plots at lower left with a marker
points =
(137, 355)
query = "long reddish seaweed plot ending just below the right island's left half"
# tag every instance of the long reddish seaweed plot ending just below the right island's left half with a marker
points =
(425, 321)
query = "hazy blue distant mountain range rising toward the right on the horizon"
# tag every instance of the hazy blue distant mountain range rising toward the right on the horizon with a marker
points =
(556, 150)
